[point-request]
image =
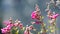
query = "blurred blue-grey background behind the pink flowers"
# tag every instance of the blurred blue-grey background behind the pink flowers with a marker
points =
(22, 9)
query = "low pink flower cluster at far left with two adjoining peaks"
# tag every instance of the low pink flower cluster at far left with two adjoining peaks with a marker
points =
(9, 25)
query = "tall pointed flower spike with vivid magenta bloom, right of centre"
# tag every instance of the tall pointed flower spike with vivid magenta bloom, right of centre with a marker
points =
(36, 15)
